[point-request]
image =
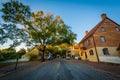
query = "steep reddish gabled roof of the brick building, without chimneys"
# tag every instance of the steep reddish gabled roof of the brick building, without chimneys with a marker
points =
(95, 28)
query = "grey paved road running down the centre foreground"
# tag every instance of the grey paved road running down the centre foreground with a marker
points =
(57, 70)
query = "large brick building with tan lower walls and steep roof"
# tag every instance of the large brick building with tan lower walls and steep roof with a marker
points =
(101, 43)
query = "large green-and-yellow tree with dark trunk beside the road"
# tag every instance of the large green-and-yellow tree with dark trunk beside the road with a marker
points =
(48, 30)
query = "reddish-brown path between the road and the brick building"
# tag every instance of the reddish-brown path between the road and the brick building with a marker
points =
(113, 69)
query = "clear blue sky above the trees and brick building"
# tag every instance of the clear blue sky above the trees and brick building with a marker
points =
(80, 15)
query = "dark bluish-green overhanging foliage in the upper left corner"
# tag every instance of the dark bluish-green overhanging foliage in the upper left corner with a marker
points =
(14, 15)
